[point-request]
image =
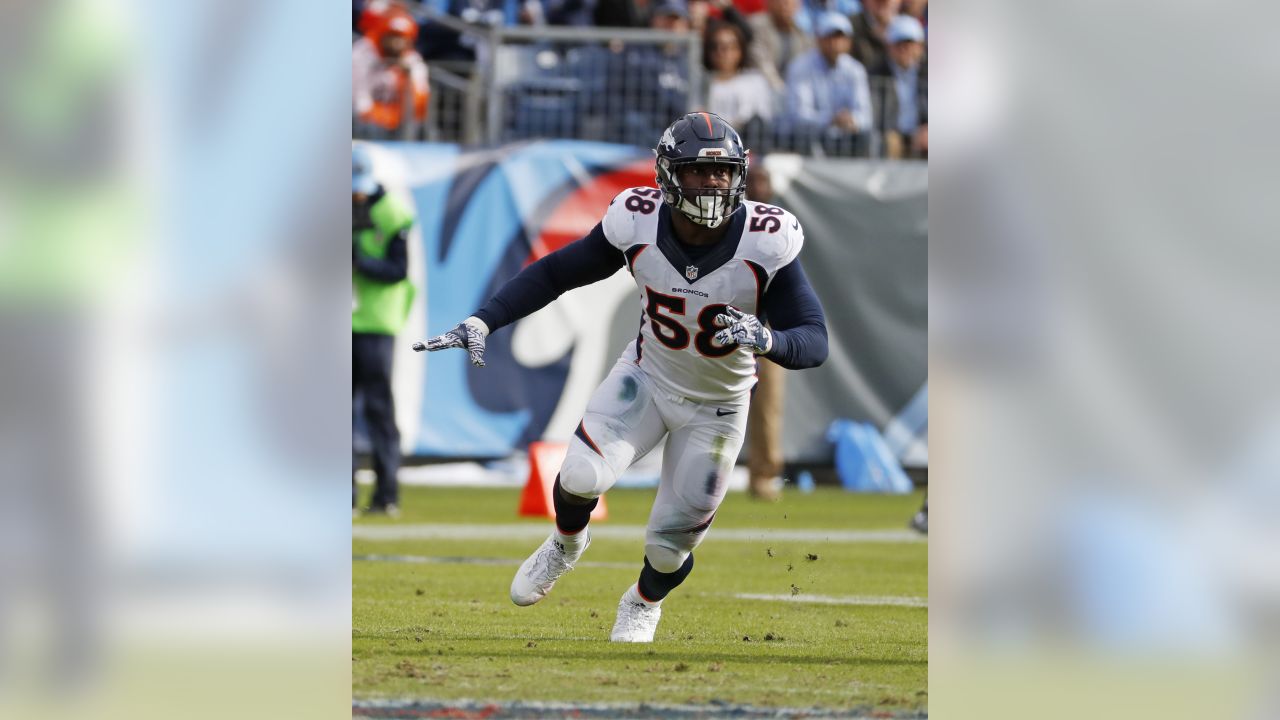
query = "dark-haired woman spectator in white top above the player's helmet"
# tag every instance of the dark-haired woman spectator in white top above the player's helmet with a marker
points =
(737, 93)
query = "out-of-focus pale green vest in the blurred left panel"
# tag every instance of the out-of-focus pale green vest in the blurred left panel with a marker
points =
(66, 240)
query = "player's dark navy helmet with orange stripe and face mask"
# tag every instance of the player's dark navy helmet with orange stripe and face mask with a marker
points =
(702, 138)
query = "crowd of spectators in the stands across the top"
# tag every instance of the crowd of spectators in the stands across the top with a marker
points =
(815, 76)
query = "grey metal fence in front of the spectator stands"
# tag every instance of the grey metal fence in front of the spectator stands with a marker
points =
(614, 85)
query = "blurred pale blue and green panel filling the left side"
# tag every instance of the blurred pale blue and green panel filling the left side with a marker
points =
(173, 366)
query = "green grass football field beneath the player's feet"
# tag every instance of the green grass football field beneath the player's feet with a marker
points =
(432, 617)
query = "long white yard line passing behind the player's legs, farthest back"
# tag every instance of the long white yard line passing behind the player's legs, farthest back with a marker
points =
(538, 531)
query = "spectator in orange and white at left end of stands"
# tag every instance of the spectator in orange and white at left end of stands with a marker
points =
(388, 80)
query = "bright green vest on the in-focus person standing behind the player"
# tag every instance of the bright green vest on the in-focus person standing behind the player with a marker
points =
(381, 308)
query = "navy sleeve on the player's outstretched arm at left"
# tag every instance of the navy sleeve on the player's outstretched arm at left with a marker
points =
(583, 262)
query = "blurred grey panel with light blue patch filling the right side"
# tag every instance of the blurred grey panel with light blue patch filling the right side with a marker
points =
(1103, 276)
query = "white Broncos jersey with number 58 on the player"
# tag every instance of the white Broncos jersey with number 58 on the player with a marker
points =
(682, 298)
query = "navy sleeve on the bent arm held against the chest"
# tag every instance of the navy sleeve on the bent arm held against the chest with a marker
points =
(796, 320)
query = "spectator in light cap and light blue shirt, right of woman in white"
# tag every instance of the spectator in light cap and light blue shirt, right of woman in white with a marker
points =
(826, 88)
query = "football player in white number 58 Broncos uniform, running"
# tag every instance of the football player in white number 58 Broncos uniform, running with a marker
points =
(710, 267)
